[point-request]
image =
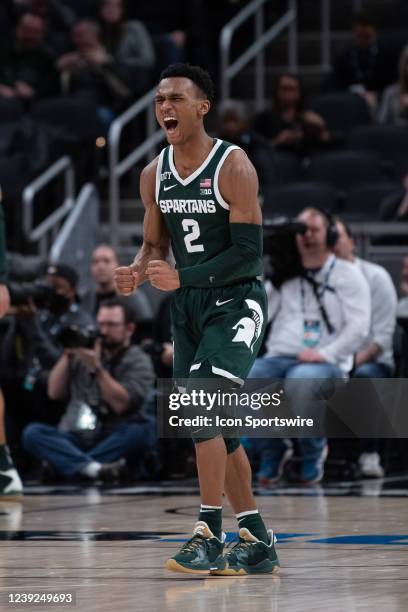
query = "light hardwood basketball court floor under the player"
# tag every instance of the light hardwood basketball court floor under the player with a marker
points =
(342, 548)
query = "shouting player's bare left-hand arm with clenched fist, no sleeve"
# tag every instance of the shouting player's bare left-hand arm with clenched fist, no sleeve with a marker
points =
(155, 237)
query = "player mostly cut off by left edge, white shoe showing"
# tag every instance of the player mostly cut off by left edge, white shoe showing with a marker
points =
(10, 483)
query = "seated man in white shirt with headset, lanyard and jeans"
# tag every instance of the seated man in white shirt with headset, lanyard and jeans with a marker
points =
(319, 321)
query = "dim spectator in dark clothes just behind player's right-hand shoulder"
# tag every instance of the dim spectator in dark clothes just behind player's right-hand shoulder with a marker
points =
(233, 125)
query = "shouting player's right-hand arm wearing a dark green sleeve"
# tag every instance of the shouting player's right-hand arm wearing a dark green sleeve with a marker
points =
(238, 184)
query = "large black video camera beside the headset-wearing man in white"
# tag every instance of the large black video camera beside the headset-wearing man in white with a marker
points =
(281, 249)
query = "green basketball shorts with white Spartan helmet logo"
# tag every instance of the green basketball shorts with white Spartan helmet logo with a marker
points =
(223, 326)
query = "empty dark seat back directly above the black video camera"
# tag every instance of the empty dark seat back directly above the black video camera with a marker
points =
(289, 200)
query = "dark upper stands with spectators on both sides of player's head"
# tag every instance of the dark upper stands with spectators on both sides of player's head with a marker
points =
(71, 67)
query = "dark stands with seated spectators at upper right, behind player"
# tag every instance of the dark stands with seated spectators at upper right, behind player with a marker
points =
(344, 148)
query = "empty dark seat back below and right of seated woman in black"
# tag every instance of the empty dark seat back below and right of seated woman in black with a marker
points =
(345, 169)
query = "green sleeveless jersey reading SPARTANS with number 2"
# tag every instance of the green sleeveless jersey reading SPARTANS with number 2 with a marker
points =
(195, 213)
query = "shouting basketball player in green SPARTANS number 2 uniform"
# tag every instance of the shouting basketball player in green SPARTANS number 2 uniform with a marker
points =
(201, 194)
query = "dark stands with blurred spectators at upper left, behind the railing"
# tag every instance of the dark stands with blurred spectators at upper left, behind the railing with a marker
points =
(67, 69)
